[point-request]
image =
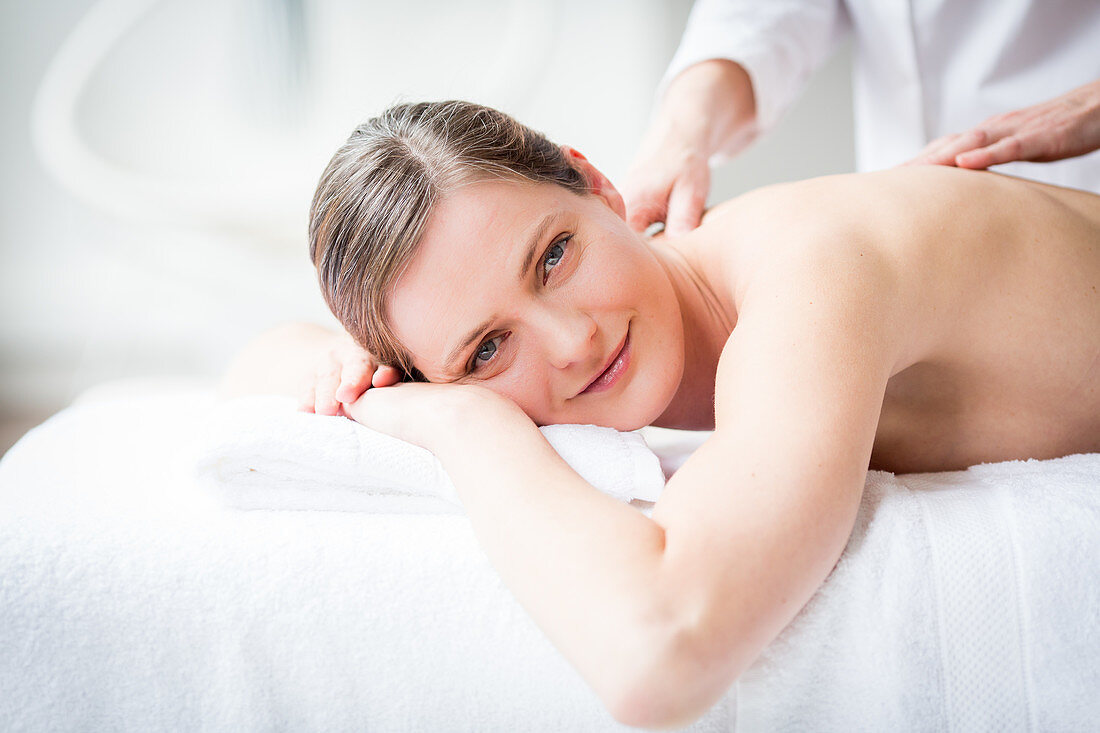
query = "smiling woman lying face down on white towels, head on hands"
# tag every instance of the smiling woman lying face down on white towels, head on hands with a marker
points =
(915, 320)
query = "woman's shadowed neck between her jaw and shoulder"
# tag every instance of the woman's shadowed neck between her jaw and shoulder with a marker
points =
(708, 324)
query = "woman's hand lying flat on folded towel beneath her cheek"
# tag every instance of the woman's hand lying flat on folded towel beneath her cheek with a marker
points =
(426, 414)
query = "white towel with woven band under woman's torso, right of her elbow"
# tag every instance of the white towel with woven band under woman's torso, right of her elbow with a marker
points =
(964, 601)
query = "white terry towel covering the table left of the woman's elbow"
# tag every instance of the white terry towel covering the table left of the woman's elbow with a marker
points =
(134, 600)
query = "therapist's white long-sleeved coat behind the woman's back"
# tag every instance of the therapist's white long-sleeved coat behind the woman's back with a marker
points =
(923, 69)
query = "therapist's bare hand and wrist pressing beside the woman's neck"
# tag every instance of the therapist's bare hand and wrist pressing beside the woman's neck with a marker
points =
(708, 108)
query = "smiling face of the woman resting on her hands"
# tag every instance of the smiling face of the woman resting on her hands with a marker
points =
(531, 291)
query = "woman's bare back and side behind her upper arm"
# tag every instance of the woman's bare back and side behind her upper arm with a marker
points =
(1000, 307)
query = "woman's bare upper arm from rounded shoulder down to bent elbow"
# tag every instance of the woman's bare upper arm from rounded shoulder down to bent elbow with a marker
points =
(757, 518)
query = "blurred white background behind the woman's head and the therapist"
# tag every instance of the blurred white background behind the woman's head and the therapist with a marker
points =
(159, 157)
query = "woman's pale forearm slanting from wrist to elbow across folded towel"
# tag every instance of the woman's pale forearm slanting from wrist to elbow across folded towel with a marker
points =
(584, 565)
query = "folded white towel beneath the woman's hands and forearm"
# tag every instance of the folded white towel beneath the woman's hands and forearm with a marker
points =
(261, 453)
